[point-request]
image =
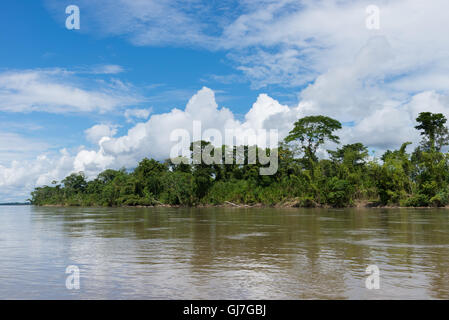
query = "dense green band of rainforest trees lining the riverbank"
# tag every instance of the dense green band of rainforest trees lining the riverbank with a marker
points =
(349, 177)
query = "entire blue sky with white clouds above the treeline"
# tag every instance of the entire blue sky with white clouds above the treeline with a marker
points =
(112, 92)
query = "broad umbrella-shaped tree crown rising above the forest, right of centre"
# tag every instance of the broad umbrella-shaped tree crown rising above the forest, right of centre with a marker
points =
(313, 131)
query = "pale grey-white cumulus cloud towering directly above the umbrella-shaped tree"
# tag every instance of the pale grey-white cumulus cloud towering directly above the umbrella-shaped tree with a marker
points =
(353, 91)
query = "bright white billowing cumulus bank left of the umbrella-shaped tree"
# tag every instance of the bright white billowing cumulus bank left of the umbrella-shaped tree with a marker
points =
(152, 138)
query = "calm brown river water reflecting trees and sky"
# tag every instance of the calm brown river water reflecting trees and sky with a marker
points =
(218, 253)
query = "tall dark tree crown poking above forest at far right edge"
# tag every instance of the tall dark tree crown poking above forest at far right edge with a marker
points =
(435, 133)
